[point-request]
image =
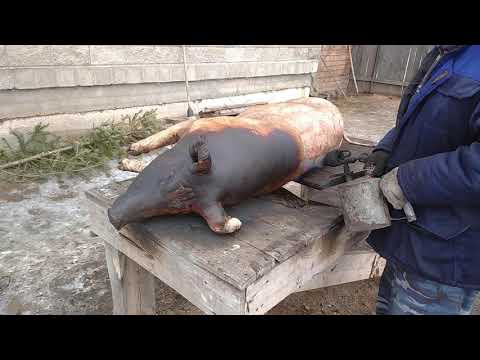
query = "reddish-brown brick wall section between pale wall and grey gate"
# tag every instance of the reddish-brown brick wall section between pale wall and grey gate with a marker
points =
(335, 74)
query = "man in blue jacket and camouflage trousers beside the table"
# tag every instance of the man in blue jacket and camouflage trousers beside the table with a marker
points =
(432, 160)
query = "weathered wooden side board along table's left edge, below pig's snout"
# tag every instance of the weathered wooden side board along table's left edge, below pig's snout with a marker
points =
(203, 289)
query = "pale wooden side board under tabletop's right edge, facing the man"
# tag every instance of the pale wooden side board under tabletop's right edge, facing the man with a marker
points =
(293, 273)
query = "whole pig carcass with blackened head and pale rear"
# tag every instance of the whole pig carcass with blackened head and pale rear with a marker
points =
(221, 161)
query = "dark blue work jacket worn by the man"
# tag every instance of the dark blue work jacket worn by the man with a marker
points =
(436, 146)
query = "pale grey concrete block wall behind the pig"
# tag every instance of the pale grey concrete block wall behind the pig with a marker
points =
(71, 86)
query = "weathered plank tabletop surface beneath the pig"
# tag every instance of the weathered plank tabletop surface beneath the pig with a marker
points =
(274, 228)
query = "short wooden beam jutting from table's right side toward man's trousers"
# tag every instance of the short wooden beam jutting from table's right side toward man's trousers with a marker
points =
(352, 266)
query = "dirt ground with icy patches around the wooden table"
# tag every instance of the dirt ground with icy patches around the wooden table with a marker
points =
(50, 262)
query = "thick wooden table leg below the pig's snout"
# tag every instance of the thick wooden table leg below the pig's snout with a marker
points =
(133, 289)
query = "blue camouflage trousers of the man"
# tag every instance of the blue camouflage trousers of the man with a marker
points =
(404, 293)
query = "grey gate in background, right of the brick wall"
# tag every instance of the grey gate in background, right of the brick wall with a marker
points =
(393, 65)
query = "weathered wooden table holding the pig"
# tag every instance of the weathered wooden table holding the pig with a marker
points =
(285, 245)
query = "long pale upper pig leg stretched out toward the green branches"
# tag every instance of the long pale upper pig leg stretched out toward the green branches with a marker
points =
(163, 138)
